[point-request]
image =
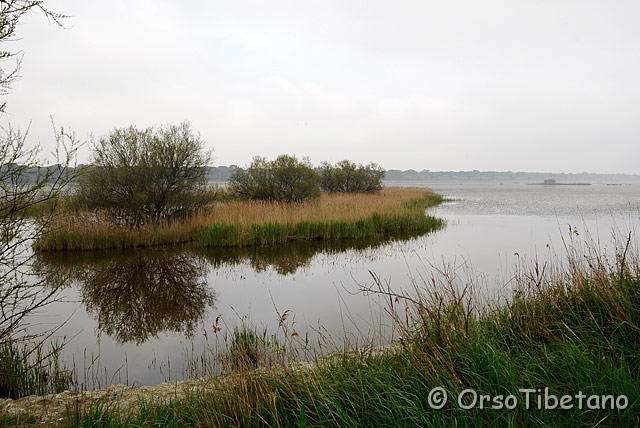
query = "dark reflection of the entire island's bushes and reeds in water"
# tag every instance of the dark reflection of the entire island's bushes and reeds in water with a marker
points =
(136, 295)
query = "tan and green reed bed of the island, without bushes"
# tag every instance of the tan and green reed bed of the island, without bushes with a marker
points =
(391, 212)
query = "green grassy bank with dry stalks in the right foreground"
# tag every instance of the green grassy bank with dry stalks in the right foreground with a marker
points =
(563, 351)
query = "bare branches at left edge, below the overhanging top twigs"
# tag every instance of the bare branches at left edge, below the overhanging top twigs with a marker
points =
(28, 191)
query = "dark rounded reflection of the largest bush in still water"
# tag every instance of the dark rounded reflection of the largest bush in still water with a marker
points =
(139, 294)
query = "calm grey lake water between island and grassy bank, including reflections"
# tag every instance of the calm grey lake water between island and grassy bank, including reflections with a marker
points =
(138, 318)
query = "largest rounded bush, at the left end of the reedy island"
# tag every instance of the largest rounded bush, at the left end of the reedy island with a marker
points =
(146, 175)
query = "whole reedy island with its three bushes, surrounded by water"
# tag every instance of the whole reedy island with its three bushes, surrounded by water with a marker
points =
(149, 188)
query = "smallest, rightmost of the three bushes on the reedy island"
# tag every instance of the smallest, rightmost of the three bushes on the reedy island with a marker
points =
(348, 177)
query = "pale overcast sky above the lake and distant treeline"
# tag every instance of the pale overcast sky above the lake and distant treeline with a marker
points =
(548, 86)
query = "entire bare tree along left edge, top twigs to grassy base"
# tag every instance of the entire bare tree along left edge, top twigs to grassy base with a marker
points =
(29, 192)
